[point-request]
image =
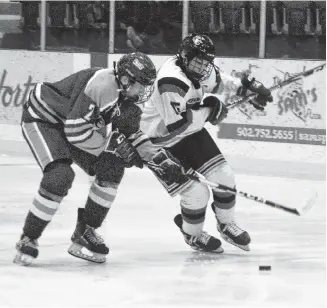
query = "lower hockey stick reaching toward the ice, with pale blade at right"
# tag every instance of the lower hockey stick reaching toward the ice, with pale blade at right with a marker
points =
(306, 207)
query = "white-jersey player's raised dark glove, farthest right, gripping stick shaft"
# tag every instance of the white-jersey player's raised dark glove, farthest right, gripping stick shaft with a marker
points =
(264, 94)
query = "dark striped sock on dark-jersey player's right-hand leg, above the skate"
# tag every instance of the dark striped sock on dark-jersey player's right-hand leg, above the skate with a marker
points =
(98, 203)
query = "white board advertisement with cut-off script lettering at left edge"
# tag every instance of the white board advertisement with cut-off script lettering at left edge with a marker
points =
(20, 70)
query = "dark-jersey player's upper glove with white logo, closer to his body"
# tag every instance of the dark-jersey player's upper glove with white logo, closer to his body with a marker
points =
(119, 145)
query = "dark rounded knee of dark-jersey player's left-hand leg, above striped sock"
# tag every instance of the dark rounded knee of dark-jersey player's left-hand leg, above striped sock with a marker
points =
(58, 178)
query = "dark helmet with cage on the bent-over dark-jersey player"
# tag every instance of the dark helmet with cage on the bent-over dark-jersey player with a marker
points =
(136, 67)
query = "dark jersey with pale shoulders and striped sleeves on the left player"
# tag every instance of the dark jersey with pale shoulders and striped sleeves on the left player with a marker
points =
(75, 103)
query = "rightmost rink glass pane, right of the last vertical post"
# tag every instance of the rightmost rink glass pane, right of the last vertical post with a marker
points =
(296, 30)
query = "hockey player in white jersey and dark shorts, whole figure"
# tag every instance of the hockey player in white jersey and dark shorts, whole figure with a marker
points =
(175, 116)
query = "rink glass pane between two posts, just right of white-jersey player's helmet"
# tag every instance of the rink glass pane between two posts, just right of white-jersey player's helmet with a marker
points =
(233, 26)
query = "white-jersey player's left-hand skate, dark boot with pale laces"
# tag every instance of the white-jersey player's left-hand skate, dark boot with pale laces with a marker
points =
(204, 242)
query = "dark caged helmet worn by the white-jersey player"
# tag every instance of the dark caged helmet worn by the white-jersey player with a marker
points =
(196, 55)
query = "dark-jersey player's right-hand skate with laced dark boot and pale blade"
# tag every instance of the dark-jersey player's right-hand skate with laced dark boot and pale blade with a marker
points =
(86, 243)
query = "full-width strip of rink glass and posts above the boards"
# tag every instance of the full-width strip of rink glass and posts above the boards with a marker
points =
(279, 29)
